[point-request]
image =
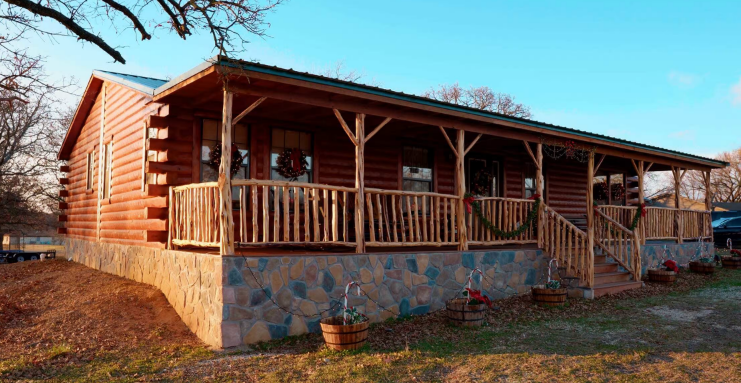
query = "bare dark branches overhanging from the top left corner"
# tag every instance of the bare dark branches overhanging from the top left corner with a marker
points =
(228, 22)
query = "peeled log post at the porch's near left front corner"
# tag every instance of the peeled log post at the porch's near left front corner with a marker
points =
(226, 223)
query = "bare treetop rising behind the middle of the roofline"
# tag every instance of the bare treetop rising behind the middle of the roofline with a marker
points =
(480, 98)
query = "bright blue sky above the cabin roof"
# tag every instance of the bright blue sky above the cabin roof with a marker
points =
(662, 72)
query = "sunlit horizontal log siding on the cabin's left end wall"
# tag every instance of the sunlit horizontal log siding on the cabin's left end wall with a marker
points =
(123, 217)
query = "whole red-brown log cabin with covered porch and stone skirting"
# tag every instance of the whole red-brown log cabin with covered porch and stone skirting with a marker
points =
(252, 195)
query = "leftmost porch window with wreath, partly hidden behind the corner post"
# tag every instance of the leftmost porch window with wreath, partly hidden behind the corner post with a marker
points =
(210, 136)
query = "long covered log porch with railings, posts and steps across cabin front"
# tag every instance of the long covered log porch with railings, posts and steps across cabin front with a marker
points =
(368, 189)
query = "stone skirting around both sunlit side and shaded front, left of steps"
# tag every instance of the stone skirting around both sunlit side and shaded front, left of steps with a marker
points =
(222, 300)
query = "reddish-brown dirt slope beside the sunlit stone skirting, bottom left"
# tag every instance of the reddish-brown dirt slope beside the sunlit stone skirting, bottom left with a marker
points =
(60, 313)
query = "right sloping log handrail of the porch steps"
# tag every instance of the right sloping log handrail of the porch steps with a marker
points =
(617, 241)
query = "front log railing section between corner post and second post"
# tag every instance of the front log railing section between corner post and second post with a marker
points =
(281, 212)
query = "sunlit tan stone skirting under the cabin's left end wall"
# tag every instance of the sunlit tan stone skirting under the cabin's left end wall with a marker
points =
(191, 282)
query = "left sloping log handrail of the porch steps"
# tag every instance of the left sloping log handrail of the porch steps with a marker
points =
(568, 244)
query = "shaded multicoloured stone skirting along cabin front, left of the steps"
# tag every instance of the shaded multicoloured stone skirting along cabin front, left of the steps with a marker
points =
(404, 283)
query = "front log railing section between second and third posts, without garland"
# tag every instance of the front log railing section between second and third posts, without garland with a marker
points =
(402, 218)
